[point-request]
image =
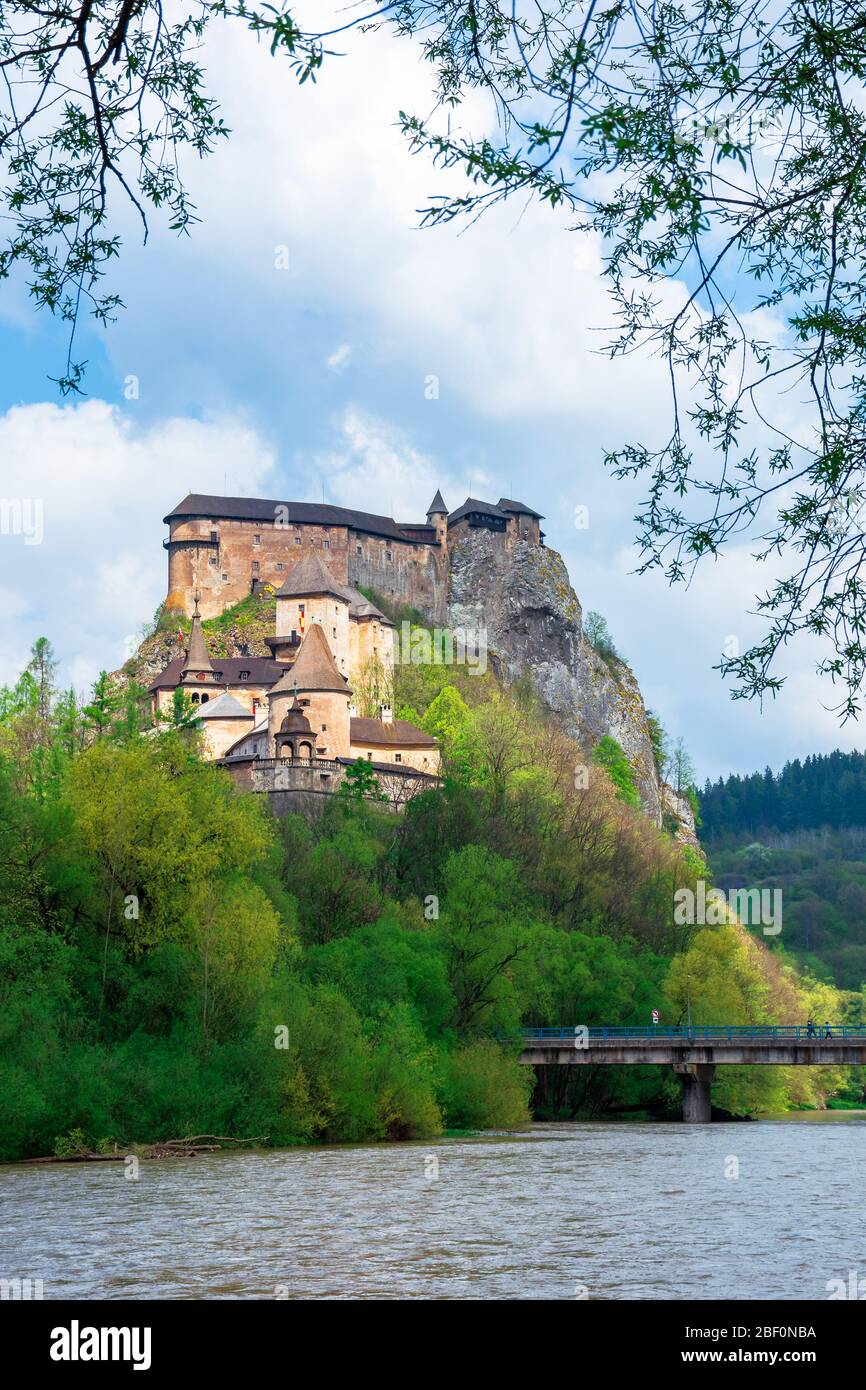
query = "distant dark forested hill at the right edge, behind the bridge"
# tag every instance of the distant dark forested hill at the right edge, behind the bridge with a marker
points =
(801, 832)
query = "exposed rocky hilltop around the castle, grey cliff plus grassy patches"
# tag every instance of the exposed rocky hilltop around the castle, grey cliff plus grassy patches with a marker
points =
(522, 598)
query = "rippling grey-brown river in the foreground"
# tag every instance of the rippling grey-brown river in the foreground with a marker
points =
(557, 1211)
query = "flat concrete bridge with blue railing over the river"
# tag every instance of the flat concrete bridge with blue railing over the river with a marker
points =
(696, 1052)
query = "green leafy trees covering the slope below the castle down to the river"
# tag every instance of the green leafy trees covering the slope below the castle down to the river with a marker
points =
(174, 961)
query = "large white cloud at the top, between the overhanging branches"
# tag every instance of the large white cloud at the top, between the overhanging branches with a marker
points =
(507, 313)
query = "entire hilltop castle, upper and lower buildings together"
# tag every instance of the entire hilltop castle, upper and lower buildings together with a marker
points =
(323, 698)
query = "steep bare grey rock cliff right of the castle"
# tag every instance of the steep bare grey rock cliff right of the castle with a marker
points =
(525, 600)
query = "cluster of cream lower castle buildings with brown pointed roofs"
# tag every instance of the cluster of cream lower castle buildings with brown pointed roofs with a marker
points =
(288, 721)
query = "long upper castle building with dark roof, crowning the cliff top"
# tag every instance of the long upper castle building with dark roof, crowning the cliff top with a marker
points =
(226, 548)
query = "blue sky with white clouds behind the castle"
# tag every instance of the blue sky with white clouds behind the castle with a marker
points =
(286, 350)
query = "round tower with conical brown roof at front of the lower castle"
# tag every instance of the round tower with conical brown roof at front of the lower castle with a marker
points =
(320, 692)
